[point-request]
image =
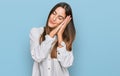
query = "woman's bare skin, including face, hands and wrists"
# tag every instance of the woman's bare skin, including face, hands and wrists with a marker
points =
(58, 21)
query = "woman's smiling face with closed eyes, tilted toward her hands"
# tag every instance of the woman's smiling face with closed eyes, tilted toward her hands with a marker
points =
(56, 17)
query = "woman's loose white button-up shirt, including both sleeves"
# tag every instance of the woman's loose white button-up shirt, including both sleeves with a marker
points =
(44, 65)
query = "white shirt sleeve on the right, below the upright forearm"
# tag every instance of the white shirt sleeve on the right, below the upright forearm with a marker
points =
(64, 56)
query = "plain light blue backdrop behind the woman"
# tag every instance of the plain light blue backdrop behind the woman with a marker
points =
(97, 43)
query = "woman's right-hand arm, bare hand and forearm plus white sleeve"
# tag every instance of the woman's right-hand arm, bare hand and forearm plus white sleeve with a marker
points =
(64, 56)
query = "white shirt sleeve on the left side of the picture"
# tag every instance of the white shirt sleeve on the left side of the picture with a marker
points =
(40, 51)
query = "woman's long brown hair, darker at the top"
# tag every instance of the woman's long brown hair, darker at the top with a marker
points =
(69, 32)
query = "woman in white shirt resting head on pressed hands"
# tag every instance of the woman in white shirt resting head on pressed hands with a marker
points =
(51, 46)
